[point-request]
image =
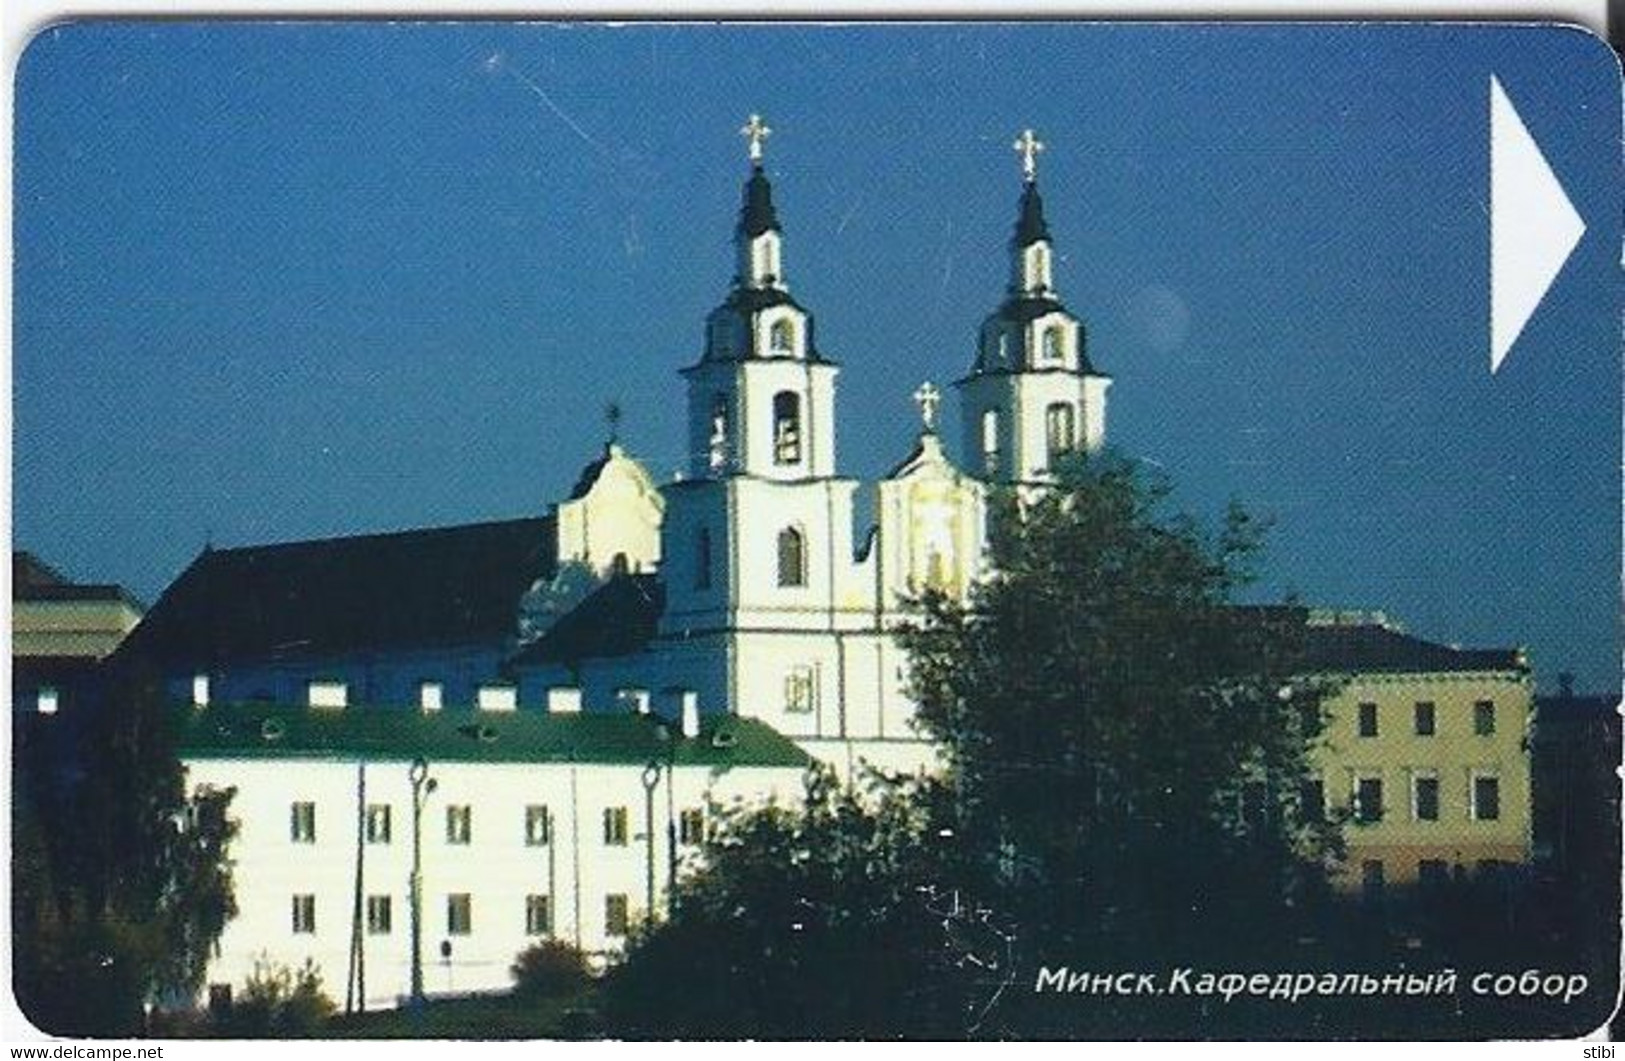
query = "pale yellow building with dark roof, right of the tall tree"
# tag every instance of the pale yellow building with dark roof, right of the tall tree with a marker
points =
(1426, 750)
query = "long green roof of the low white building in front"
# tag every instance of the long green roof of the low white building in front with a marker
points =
(272, 732)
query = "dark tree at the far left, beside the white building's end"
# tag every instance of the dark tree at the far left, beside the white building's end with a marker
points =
(128, 878)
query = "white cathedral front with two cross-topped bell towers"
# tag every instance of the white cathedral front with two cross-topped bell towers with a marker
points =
(771, 608)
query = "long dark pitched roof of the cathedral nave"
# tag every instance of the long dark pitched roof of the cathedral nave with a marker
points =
(451, 586)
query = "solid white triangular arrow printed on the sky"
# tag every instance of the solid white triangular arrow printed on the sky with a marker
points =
(1533, 225)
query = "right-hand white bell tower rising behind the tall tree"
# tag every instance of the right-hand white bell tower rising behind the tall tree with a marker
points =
(1031, 396)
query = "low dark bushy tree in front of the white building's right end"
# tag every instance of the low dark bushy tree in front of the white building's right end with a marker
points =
(812, 922)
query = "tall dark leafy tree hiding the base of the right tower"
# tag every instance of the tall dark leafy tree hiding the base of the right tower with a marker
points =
(1127, 748)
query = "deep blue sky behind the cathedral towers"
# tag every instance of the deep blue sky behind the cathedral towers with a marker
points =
(308, 280)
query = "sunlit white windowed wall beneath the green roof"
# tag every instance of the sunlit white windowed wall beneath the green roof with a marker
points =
(498, 870)
